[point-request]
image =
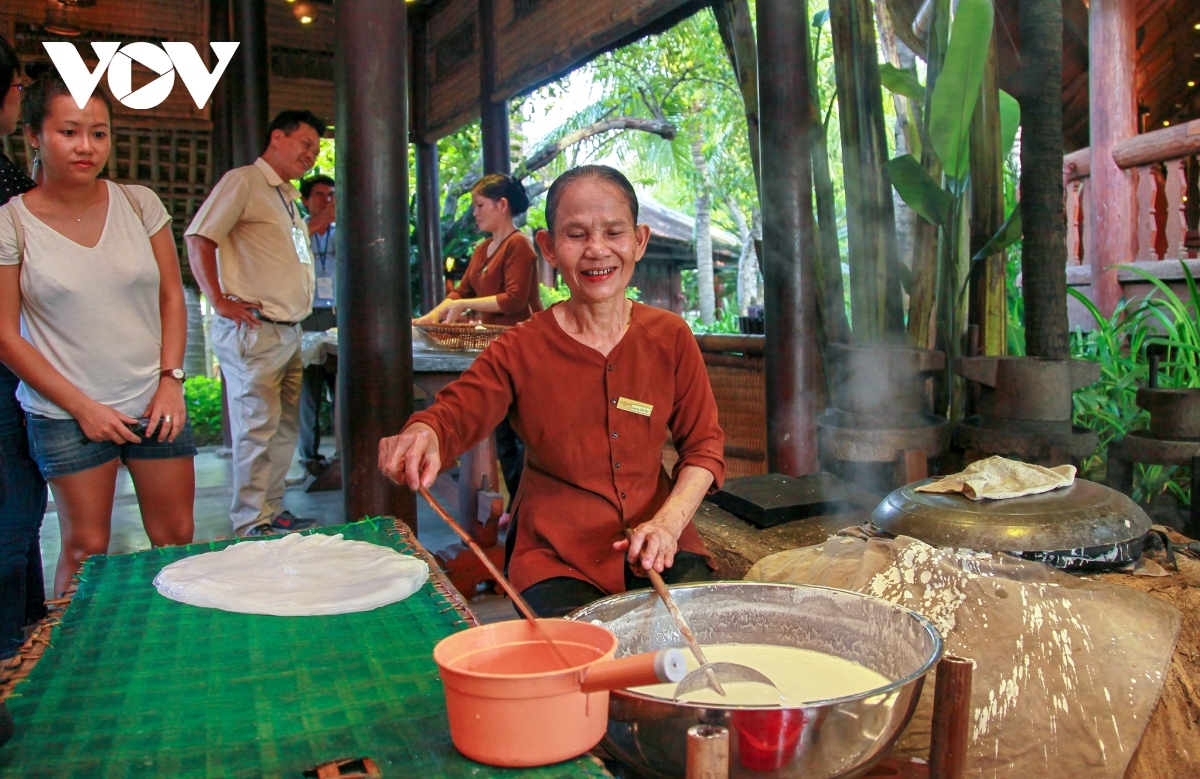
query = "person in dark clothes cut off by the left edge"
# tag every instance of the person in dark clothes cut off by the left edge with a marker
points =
(23, 504)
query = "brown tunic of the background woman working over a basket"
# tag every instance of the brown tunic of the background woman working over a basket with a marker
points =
(509, 274)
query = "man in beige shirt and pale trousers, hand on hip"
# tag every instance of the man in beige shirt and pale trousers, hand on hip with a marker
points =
(249, 250)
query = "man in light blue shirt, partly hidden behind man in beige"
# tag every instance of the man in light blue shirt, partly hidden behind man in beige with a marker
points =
(317, 195)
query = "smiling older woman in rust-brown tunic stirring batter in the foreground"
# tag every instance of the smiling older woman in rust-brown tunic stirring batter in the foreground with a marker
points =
(593, 386)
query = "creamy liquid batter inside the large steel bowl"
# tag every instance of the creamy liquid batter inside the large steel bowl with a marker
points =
(801, 675)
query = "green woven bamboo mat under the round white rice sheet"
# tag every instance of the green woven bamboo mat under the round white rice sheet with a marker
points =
(136, 685)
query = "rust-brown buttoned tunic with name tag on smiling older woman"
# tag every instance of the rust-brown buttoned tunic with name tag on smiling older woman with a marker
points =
(593, 463)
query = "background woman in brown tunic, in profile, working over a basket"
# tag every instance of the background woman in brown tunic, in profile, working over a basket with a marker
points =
(500, 283)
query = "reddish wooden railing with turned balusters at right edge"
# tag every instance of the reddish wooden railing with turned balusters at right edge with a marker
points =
(1166, 167)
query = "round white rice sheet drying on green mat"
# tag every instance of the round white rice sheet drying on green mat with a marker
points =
(295, 577)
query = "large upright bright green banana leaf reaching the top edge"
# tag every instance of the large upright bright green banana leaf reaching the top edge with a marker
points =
(958, 86)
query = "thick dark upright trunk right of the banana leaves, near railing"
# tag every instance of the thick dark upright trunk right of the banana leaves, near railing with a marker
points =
(1045, 250)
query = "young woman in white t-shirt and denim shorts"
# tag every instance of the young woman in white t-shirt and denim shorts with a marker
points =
(93, 321)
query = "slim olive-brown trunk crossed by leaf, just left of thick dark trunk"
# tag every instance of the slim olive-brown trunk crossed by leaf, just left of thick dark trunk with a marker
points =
(989, 304)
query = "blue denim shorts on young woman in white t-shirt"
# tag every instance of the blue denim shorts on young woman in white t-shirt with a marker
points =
(59, 447)
